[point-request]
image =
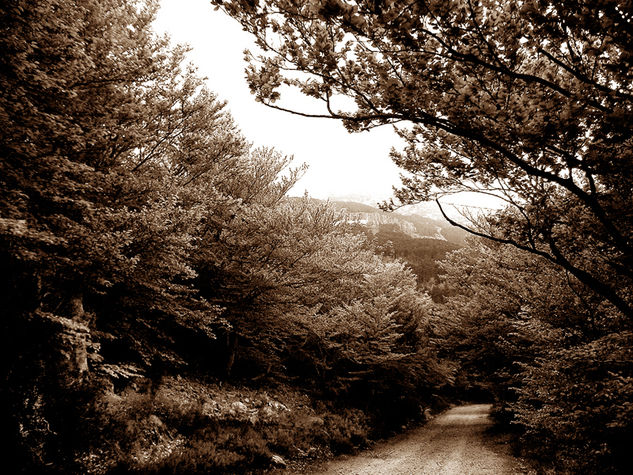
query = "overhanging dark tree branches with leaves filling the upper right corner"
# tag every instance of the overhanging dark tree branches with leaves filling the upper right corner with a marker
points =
(528, 101)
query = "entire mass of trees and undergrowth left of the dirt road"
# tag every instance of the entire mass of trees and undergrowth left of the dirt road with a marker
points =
(141, 236)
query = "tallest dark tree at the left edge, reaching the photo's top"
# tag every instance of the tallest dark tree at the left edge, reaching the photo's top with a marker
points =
(104, 134)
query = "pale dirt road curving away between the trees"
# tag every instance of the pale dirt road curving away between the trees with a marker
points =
(453, 443)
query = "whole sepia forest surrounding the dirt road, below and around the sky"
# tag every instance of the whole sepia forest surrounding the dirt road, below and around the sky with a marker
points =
(168, 308)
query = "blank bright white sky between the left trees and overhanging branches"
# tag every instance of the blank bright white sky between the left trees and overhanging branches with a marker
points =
(341, 164)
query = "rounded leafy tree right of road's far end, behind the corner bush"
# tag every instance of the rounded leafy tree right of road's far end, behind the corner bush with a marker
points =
(498, 301)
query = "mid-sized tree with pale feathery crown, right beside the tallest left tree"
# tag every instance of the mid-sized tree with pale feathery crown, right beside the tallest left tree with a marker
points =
(270, 260)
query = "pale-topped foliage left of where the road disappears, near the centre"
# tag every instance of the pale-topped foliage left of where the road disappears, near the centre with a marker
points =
(375, 347)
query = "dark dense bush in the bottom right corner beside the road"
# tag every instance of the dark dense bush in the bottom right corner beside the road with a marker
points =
(574, 406)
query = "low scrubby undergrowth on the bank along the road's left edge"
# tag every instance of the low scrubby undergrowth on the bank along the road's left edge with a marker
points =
(189, 426)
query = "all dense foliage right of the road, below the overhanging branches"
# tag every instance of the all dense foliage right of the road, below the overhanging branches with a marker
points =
(554, 357)
